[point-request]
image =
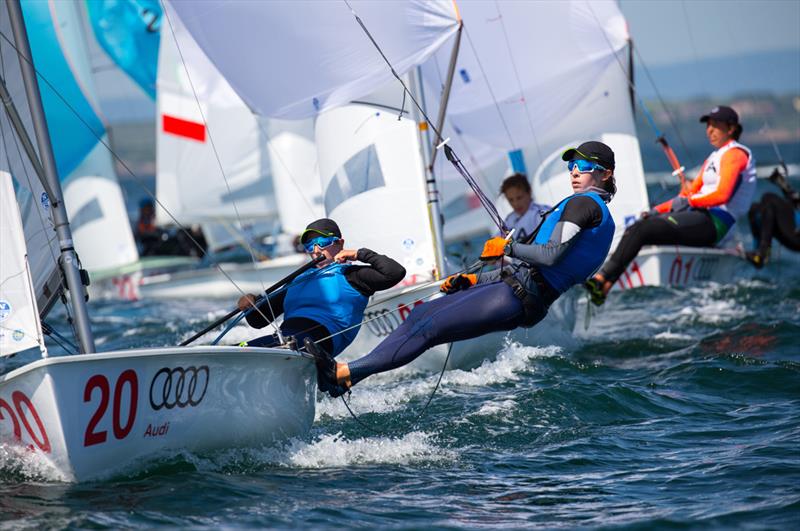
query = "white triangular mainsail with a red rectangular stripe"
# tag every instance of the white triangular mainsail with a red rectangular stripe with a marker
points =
(210, 148)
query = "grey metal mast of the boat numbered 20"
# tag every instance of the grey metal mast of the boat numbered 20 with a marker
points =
(68, 259)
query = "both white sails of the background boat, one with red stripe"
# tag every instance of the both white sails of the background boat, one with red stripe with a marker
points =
(261, 158)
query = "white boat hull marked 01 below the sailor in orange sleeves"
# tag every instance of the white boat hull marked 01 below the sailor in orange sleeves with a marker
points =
(679, 266)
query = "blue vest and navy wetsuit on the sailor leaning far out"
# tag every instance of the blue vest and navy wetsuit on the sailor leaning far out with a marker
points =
(571, 244)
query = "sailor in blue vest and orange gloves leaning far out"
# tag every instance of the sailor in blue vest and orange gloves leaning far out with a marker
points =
(569, 246)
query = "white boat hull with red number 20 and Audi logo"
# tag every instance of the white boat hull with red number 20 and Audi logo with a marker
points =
(95, 415)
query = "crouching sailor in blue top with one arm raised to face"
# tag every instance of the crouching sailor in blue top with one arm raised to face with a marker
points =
(325, 304)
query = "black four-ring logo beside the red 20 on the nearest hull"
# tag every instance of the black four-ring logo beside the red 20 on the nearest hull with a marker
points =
(179, 387)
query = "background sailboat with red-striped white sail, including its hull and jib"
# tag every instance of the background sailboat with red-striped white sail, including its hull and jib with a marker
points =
(239, 176)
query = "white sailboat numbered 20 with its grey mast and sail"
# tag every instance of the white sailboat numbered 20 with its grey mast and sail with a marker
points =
(92, 415)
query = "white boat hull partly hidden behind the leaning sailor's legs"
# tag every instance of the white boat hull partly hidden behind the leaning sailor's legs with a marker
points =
(390, 308)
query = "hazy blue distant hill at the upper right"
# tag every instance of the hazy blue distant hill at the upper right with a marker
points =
(772, 72)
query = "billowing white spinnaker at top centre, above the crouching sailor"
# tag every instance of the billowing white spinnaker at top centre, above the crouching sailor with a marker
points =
(311, 56)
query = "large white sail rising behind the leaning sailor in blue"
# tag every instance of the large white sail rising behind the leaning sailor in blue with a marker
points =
(540, 77)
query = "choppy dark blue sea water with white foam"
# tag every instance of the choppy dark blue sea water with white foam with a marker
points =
(674, 408)
